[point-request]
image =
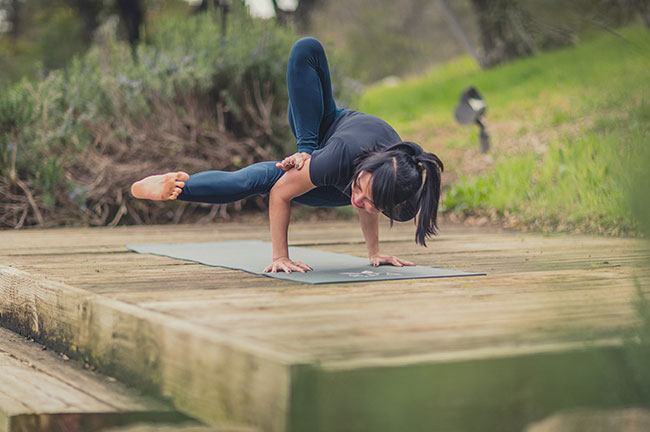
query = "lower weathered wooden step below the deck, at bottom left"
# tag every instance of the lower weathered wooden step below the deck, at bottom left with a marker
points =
(40, 391)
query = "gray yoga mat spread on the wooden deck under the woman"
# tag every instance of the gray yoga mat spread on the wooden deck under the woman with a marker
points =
(253, 256)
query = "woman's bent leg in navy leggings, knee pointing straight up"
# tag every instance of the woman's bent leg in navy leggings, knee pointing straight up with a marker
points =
(312, 108)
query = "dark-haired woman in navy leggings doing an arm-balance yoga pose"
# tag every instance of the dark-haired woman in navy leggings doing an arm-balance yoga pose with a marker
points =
(344, 157)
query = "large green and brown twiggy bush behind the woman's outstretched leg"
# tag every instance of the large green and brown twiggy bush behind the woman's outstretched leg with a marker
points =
(77, 139)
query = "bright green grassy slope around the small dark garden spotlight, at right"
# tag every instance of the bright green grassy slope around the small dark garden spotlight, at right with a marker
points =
(566, 128)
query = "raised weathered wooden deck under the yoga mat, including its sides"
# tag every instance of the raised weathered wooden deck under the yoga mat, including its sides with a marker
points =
(541, 332)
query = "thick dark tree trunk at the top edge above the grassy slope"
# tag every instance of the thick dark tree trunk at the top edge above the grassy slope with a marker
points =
(503, 33)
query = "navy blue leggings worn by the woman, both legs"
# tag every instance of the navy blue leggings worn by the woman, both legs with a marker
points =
(312, 111)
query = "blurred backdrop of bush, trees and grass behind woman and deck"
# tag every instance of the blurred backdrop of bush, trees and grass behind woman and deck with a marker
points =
(98, 93)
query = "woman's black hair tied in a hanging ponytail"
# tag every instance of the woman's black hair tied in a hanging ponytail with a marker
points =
(406, 182)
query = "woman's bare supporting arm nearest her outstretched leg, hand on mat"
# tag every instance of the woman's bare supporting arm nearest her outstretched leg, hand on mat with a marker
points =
(293, 183)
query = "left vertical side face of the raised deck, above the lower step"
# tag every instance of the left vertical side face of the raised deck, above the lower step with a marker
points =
(151, 351)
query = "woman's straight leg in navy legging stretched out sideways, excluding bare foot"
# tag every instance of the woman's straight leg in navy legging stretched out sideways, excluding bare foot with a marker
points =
(220, 187)
